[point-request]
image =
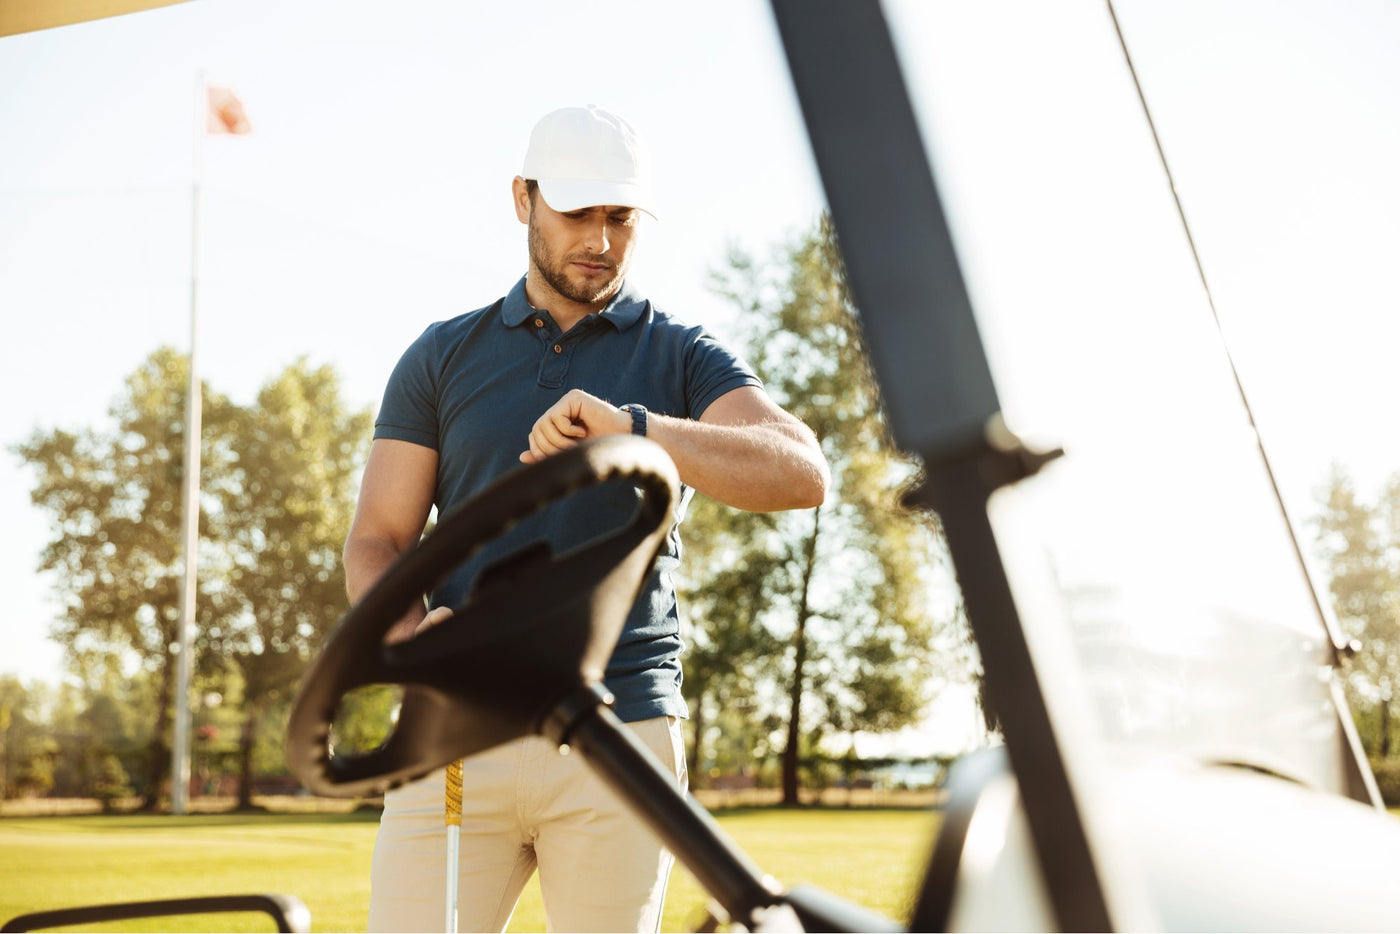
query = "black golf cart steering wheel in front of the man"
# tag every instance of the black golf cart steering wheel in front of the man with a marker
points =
(537, 631)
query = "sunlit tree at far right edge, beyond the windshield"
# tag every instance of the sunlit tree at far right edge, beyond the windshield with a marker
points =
(1360, 545)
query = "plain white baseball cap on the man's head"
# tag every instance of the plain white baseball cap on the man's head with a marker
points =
(584, 156)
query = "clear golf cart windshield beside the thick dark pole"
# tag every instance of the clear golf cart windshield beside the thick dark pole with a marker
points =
(1157, 543)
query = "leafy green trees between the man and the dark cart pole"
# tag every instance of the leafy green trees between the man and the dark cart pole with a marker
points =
(821, 620)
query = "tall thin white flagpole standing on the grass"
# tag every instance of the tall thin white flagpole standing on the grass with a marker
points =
(194, 411)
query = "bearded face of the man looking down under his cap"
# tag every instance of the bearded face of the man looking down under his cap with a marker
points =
(582, 256)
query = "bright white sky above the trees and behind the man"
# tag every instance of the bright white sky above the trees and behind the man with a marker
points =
(373, 195)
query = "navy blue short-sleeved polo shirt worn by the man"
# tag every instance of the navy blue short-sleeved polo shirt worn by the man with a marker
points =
(472, 387)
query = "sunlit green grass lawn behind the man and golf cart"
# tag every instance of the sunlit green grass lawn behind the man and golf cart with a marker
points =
(870, 856)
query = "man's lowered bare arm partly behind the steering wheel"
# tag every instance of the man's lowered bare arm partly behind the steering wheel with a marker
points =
(395, 502)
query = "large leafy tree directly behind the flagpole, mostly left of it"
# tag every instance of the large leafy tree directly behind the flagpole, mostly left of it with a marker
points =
(115, 499)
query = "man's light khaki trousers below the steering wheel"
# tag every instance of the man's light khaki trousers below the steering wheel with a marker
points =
(526, 807)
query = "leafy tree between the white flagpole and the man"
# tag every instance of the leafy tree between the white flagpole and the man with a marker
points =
(286, 517)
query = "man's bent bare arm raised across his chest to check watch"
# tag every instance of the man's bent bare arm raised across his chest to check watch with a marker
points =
(744, 452)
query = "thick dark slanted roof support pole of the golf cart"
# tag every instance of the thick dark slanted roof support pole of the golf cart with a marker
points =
(906, 281)
